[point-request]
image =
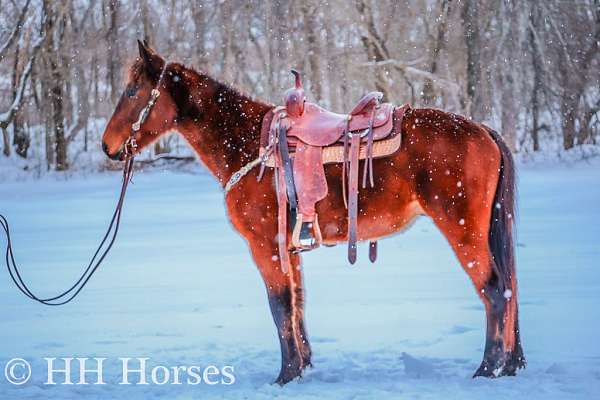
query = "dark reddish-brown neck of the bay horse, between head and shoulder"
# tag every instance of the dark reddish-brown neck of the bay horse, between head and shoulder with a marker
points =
(226, 131)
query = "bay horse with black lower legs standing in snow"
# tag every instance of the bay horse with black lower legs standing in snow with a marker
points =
(457, 172)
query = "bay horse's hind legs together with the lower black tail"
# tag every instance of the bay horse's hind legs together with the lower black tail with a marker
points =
(468, 222)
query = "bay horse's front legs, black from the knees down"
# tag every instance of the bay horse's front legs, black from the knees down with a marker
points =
(286, 299)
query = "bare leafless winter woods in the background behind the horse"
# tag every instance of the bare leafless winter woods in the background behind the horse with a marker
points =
(529, 69)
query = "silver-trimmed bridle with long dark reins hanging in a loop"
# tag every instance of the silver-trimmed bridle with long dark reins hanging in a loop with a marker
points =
(129, 151)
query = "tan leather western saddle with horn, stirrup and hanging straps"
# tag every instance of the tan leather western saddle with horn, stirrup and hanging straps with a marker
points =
(297, 139)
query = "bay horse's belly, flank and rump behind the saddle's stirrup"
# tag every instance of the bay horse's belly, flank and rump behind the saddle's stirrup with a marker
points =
(442, 158)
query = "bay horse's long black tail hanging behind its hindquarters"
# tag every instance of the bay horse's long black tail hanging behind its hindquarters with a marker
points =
(501, 234)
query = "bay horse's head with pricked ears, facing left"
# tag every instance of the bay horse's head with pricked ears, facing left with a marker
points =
(144, 76)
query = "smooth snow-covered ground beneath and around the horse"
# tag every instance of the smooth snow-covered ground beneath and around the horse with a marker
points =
(181, 289)
